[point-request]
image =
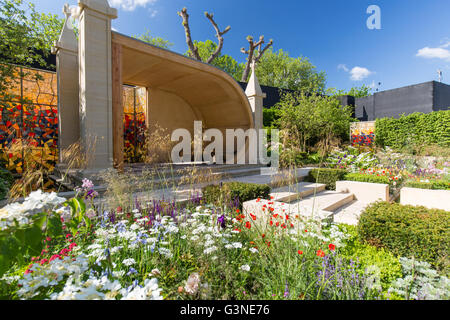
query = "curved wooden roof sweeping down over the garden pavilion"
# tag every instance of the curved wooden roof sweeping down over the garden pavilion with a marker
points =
(208, 90)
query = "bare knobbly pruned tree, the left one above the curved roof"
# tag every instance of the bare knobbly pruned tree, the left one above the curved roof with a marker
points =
(193, 50)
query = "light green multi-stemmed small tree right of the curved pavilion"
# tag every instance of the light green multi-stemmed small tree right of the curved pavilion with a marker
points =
(312, 120)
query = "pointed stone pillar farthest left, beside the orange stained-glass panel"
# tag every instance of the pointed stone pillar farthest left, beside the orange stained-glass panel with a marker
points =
(66, 50)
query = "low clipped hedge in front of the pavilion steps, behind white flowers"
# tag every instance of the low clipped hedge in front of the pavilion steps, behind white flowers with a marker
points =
(229, 192)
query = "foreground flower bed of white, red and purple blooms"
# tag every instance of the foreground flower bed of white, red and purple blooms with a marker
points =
(159, 251)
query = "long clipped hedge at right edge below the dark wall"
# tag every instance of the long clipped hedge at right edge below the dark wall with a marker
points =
(414, 129)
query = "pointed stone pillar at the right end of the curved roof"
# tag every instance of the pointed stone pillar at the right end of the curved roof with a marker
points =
(255, 97)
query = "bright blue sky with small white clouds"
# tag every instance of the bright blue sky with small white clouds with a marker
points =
(414, 40)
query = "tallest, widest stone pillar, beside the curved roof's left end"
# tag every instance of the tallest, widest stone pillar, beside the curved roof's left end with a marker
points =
(95, 82)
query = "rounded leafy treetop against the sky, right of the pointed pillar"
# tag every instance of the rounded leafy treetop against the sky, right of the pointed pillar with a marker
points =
(278, 69)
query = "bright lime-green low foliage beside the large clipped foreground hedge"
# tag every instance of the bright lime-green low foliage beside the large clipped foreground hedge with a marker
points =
(378, 262)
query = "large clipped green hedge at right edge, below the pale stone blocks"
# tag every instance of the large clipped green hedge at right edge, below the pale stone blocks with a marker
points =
(408, 231)
